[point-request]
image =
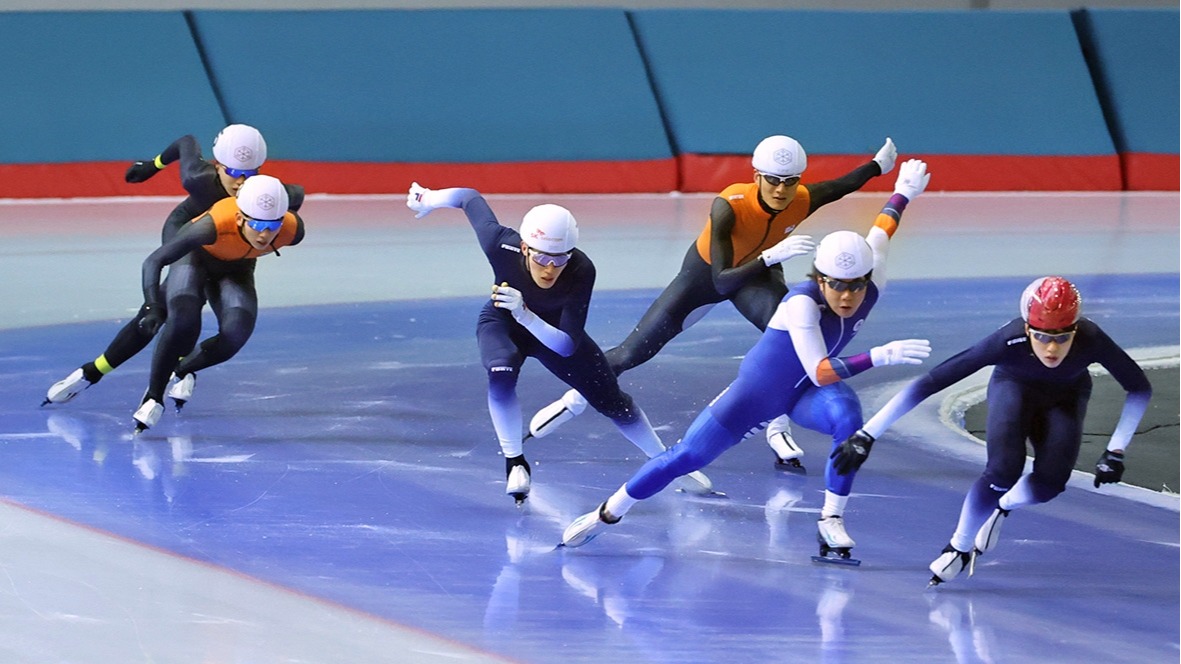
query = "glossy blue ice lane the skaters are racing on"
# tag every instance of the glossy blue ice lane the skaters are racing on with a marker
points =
(347, 453)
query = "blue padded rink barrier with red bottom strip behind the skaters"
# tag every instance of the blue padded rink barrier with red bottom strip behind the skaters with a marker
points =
(648, 101)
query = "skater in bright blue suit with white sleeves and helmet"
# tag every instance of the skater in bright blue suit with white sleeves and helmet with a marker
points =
(794, 370)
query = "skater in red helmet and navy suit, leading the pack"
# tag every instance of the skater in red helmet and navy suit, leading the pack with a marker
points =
(1039, 392)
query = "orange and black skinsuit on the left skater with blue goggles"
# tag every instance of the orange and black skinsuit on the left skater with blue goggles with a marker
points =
(210, 261)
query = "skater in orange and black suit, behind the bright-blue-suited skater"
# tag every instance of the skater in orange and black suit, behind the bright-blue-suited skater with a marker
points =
(738, 257)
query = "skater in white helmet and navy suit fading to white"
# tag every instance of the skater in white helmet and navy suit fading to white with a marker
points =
(539, 307)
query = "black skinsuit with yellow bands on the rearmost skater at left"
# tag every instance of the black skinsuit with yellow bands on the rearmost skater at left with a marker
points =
(201, 181)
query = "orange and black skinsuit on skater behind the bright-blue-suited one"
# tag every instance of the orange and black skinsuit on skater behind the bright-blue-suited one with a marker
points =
(725, 264)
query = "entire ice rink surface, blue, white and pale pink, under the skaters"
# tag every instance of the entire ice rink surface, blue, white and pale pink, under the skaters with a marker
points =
(335, 493)
